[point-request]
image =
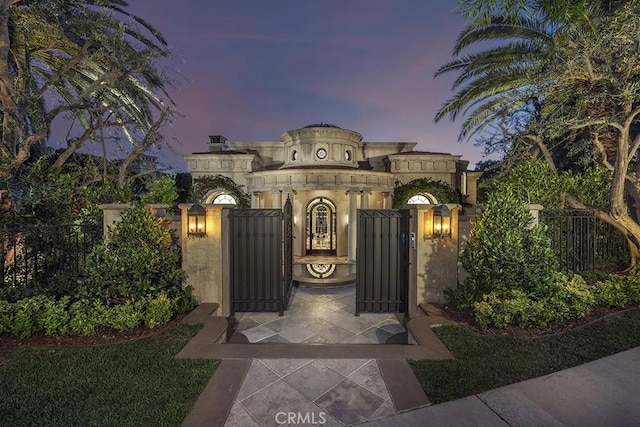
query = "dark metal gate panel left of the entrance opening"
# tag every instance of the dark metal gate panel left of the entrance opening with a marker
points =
(261, 259)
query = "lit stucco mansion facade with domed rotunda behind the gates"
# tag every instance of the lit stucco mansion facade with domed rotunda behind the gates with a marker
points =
(328, 173)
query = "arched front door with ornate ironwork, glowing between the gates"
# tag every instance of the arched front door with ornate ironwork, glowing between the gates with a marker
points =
(321, 235)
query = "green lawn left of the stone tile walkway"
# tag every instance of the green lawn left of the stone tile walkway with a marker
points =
(139, 383)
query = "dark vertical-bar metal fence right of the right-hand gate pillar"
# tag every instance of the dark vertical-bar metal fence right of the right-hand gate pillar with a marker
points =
(582, 241)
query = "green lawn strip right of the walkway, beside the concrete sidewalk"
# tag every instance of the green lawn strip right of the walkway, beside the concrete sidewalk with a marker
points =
(485, 362)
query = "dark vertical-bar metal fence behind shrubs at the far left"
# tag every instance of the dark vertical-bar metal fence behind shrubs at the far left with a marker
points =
(32, 258)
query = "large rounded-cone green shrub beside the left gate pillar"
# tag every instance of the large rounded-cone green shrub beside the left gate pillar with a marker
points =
(137, 259)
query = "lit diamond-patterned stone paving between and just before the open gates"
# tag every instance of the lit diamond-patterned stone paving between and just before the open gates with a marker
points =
(320, 316)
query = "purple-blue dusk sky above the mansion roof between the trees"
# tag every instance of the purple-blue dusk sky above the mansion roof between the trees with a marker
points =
(251, 70)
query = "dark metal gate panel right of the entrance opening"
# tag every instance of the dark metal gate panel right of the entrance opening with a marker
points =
(382, 268)
